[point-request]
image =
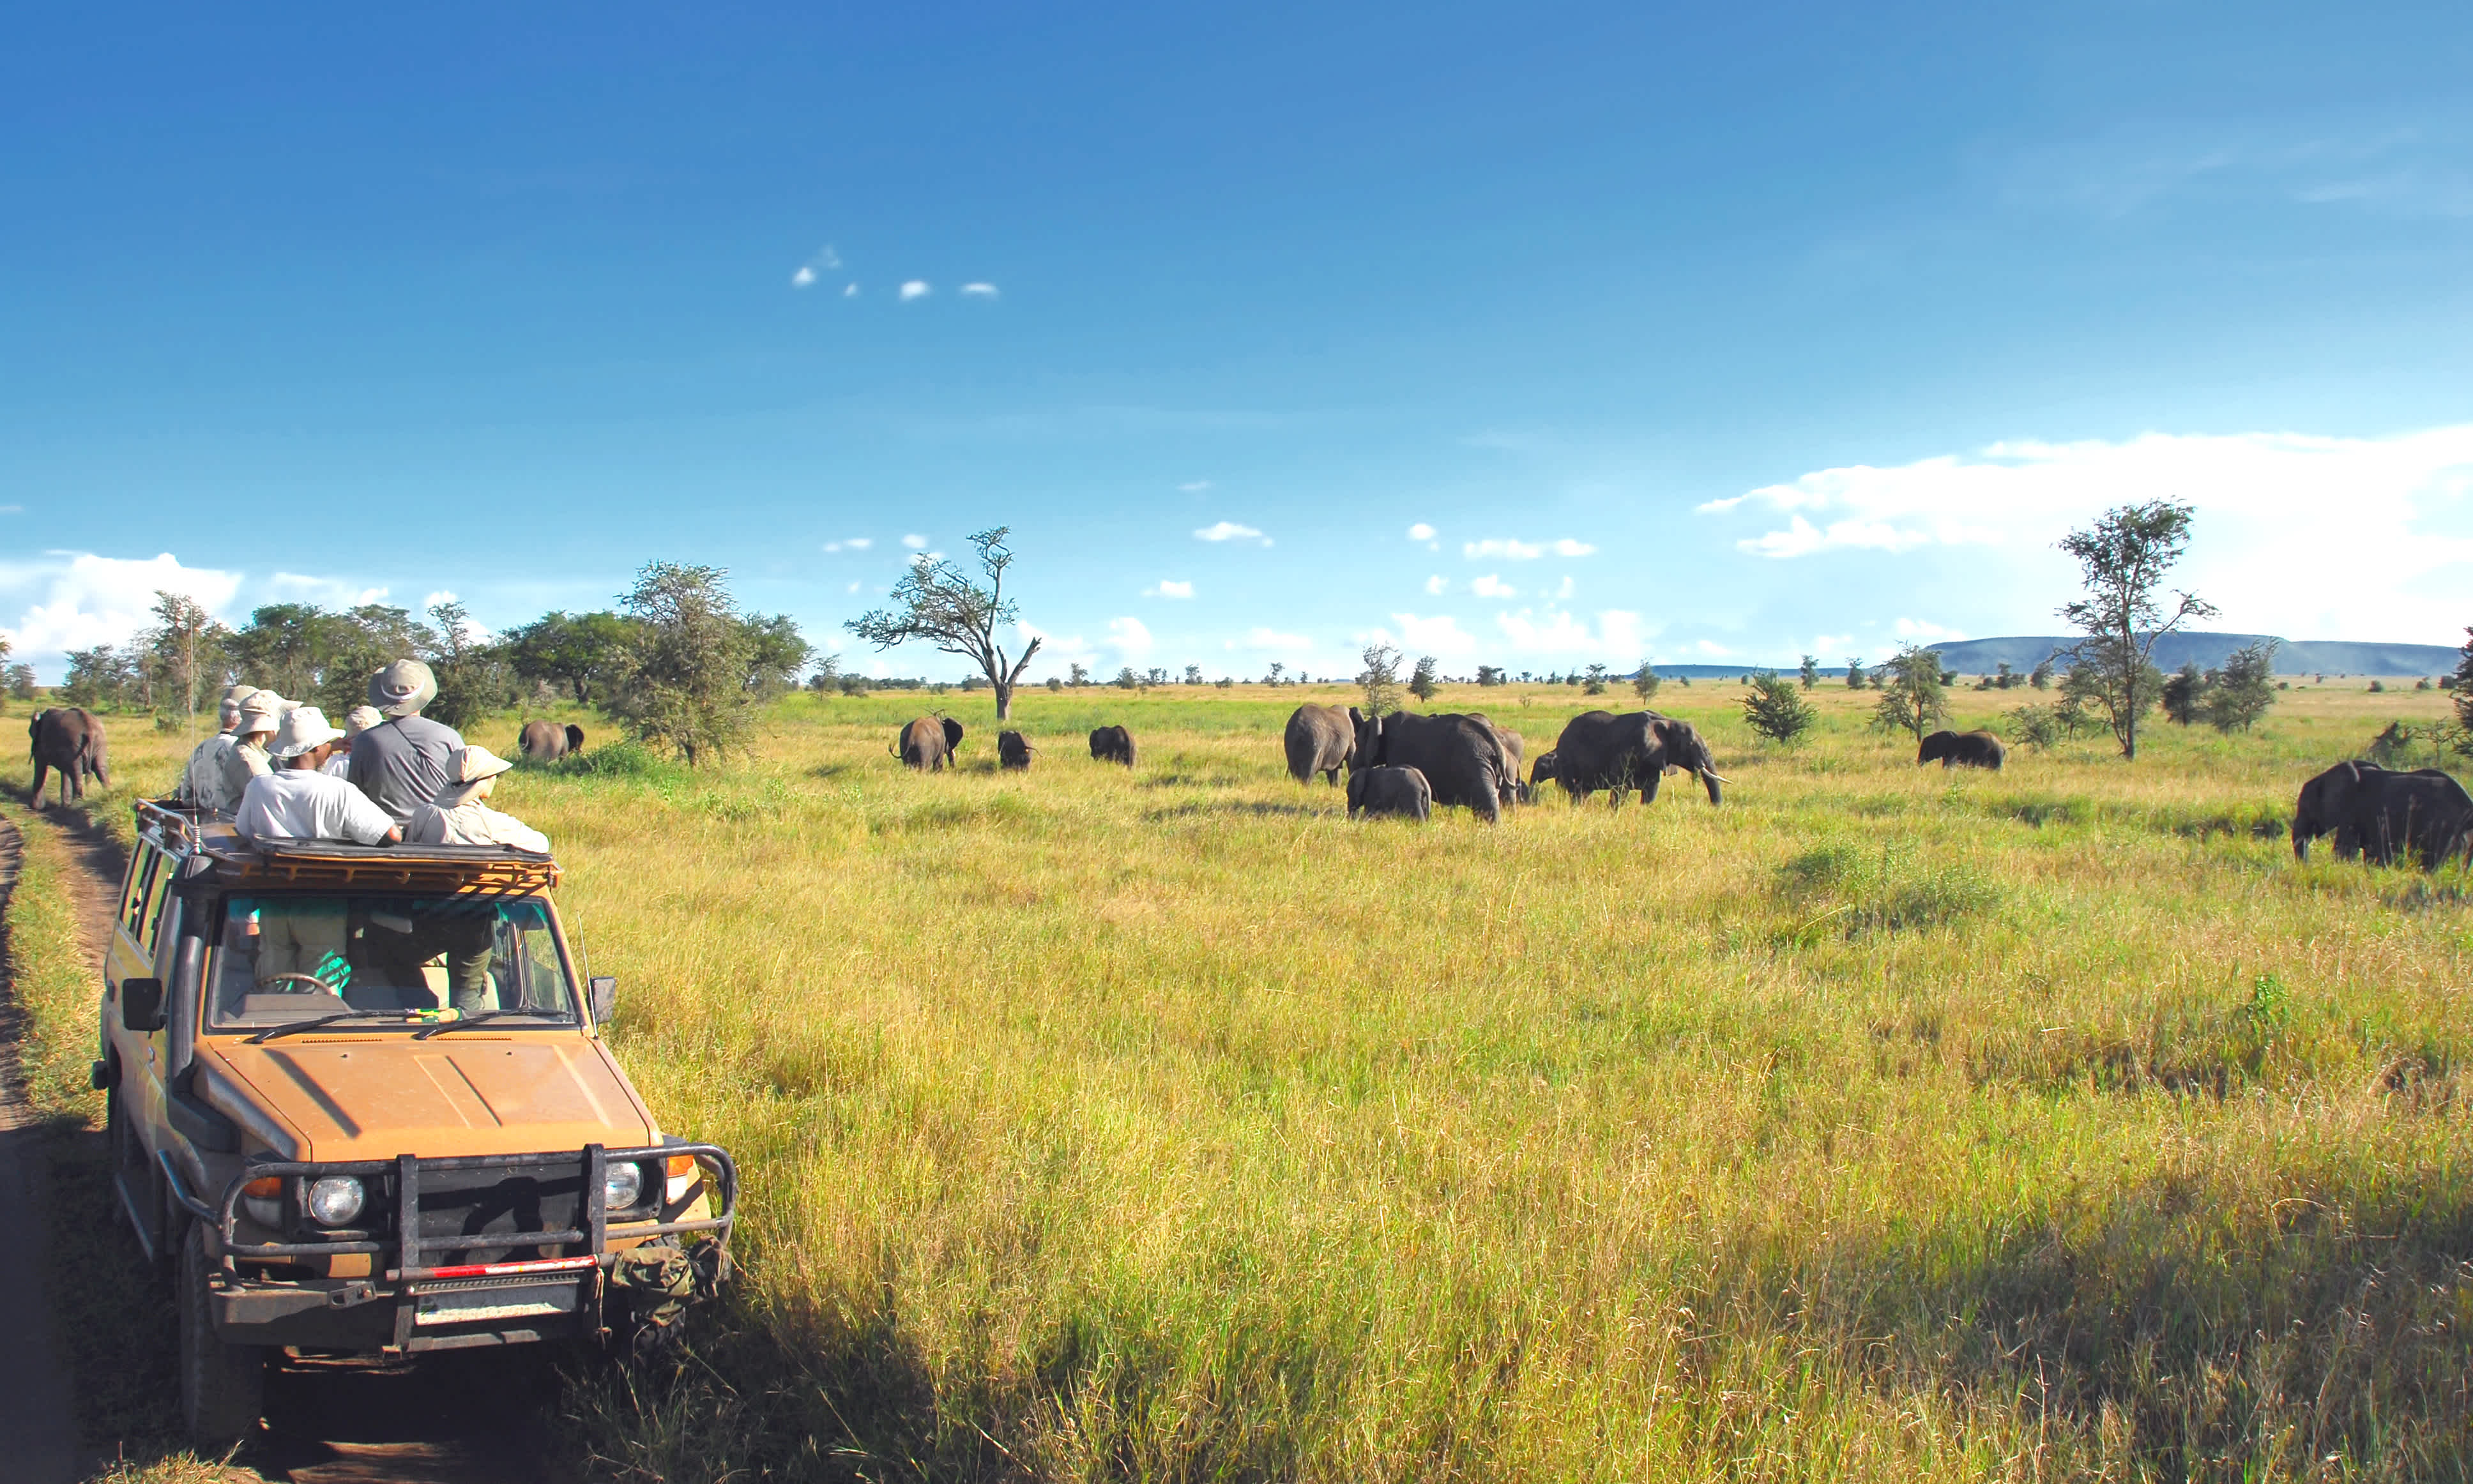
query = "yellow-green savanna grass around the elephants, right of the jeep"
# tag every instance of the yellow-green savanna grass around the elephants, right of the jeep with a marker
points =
(1886, 1124)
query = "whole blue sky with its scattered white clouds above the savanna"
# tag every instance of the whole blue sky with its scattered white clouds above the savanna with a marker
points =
(1517, 335)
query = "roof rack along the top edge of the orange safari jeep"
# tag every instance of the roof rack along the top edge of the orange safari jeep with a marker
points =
(202, 835)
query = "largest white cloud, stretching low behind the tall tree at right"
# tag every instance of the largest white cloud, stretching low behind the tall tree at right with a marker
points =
(2259, 540)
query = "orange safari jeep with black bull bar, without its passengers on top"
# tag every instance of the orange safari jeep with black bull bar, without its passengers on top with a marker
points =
(360, 1107)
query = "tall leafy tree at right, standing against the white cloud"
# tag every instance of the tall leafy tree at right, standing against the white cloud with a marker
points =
(2123, 560)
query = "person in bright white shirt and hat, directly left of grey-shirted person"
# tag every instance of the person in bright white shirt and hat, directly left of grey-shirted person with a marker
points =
(305, 944)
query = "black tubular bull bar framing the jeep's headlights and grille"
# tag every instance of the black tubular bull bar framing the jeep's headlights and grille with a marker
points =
(412, 1248)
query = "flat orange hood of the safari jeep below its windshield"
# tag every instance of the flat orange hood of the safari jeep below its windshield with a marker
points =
(385, 1097)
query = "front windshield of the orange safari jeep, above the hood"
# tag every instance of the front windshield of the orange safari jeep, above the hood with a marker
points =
(380, 961)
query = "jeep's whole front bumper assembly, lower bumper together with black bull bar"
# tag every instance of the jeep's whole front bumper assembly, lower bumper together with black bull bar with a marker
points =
(414, 1302)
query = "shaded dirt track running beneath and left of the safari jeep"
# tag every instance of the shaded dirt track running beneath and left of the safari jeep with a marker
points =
(471, 1418)
